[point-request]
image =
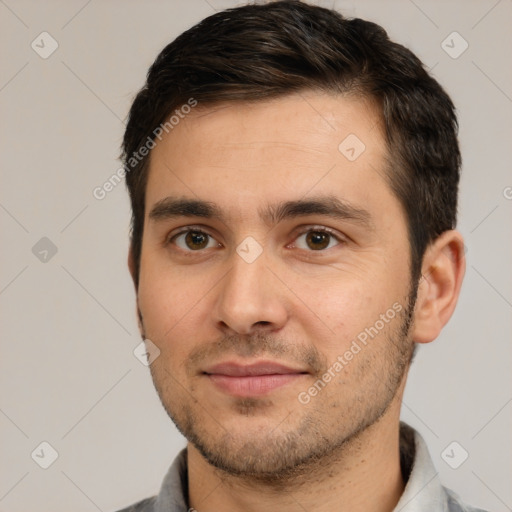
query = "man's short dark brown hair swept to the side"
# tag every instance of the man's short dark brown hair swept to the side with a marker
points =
(257, 52)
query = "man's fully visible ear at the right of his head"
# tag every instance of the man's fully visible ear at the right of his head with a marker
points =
(442, 272)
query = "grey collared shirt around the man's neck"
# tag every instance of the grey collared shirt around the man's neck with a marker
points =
(423, 491)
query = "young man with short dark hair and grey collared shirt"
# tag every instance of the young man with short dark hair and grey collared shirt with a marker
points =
(293, 178)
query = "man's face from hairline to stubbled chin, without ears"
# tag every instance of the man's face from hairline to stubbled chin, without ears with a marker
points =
(274, 279)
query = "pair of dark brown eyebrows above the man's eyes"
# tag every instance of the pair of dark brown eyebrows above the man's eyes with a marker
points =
(329, 206)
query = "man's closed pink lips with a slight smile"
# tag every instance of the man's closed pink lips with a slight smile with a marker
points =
(246, 380)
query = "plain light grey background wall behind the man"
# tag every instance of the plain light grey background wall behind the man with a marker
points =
(68, 374)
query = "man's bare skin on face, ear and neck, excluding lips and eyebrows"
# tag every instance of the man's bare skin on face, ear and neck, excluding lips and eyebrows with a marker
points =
(296, 304)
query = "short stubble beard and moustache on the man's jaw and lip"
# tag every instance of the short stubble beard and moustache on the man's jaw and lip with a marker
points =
(281, 456)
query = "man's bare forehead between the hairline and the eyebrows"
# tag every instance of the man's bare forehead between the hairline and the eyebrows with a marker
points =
(282, 149)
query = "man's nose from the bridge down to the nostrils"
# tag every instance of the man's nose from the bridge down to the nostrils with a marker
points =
(250, 298)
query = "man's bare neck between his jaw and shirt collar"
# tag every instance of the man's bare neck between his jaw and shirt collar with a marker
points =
(362, 475)
